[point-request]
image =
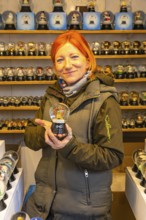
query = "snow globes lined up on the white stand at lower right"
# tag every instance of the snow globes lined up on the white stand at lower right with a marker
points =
(139, 167)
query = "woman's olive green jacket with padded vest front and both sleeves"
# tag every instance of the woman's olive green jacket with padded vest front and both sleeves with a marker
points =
(76, 179)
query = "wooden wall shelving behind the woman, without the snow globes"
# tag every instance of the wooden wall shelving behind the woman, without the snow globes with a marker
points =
(38, 87)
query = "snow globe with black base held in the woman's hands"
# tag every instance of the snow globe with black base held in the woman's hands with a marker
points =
(59, 115)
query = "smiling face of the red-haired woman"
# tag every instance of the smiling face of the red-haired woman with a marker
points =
(70, 64)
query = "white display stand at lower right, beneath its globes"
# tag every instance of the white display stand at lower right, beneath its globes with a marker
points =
(135, 195)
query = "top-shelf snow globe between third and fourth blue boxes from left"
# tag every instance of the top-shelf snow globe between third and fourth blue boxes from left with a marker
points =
(107, 19)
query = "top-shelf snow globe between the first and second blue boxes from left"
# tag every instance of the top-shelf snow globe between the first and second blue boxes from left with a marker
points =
(42, 20)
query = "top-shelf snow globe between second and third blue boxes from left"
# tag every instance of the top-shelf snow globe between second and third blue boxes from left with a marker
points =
(74, 20)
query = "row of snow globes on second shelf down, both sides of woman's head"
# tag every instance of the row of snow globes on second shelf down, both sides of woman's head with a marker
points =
(43, 49)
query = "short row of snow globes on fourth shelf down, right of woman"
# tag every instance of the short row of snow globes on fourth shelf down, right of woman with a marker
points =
(132, 98)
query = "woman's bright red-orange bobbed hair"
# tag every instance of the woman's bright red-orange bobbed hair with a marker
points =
(76, 39)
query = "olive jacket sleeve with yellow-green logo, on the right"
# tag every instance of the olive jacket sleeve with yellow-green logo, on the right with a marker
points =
(106, 152)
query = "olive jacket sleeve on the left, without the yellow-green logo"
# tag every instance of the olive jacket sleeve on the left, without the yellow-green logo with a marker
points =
(34, 134)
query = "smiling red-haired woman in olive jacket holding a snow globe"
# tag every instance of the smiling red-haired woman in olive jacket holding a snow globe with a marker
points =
(74, 175)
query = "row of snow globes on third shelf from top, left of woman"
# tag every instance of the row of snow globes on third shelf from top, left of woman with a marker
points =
(26, 73)
